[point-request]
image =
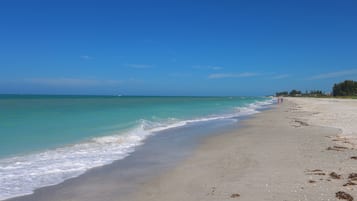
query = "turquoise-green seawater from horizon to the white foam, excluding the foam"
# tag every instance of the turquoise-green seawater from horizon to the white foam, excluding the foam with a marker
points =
(31, 123)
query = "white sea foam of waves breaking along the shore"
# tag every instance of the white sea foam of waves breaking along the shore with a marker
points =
(21, 175)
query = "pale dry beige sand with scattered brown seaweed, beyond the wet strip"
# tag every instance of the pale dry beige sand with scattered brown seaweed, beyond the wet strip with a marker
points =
(281, 154)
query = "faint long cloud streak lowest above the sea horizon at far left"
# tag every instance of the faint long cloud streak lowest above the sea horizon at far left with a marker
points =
(72, 82)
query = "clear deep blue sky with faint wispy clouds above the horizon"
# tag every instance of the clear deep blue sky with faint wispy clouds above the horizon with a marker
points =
(183, 47)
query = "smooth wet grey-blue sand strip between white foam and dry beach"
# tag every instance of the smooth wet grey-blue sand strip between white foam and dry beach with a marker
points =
(158, 154)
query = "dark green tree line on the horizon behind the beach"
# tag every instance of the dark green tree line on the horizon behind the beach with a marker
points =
(346, 88)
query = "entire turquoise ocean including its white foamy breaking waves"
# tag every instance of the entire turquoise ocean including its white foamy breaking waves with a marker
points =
(45, 140)
